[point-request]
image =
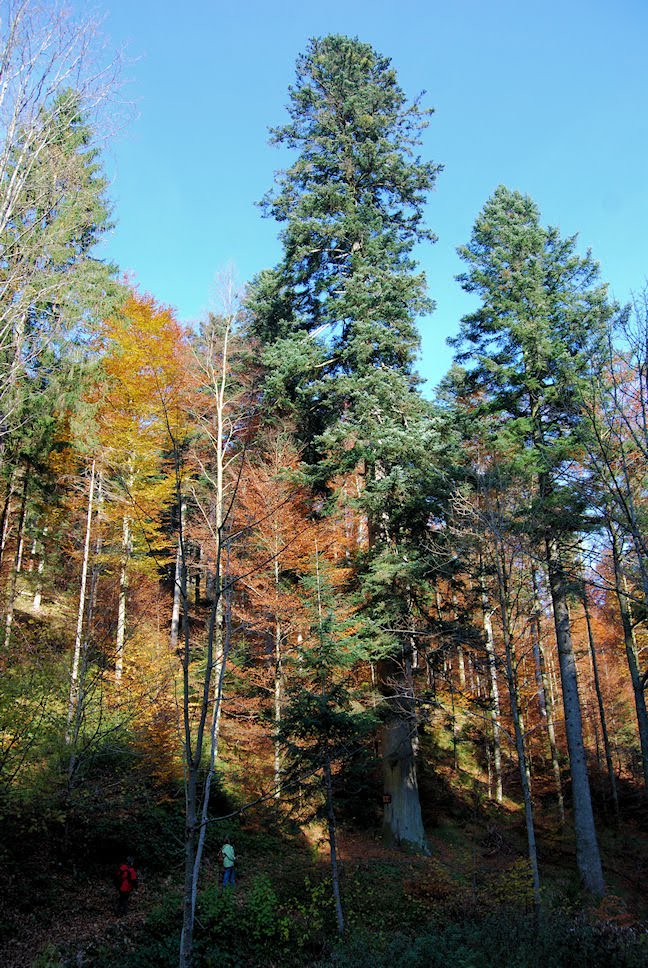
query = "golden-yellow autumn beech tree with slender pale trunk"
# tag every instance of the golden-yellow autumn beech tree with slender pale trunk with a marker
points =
(142, 391)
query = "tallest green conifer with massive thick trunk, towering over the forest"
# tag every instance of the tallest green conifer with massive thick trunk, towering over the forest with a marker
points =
(338, 319)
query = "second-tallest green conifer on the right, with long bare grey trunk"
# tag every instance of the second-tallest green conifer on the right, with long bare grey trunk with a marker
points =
(529, 348)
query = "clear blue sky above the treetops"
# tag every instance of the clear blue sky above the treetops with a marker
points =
(550, 98)
